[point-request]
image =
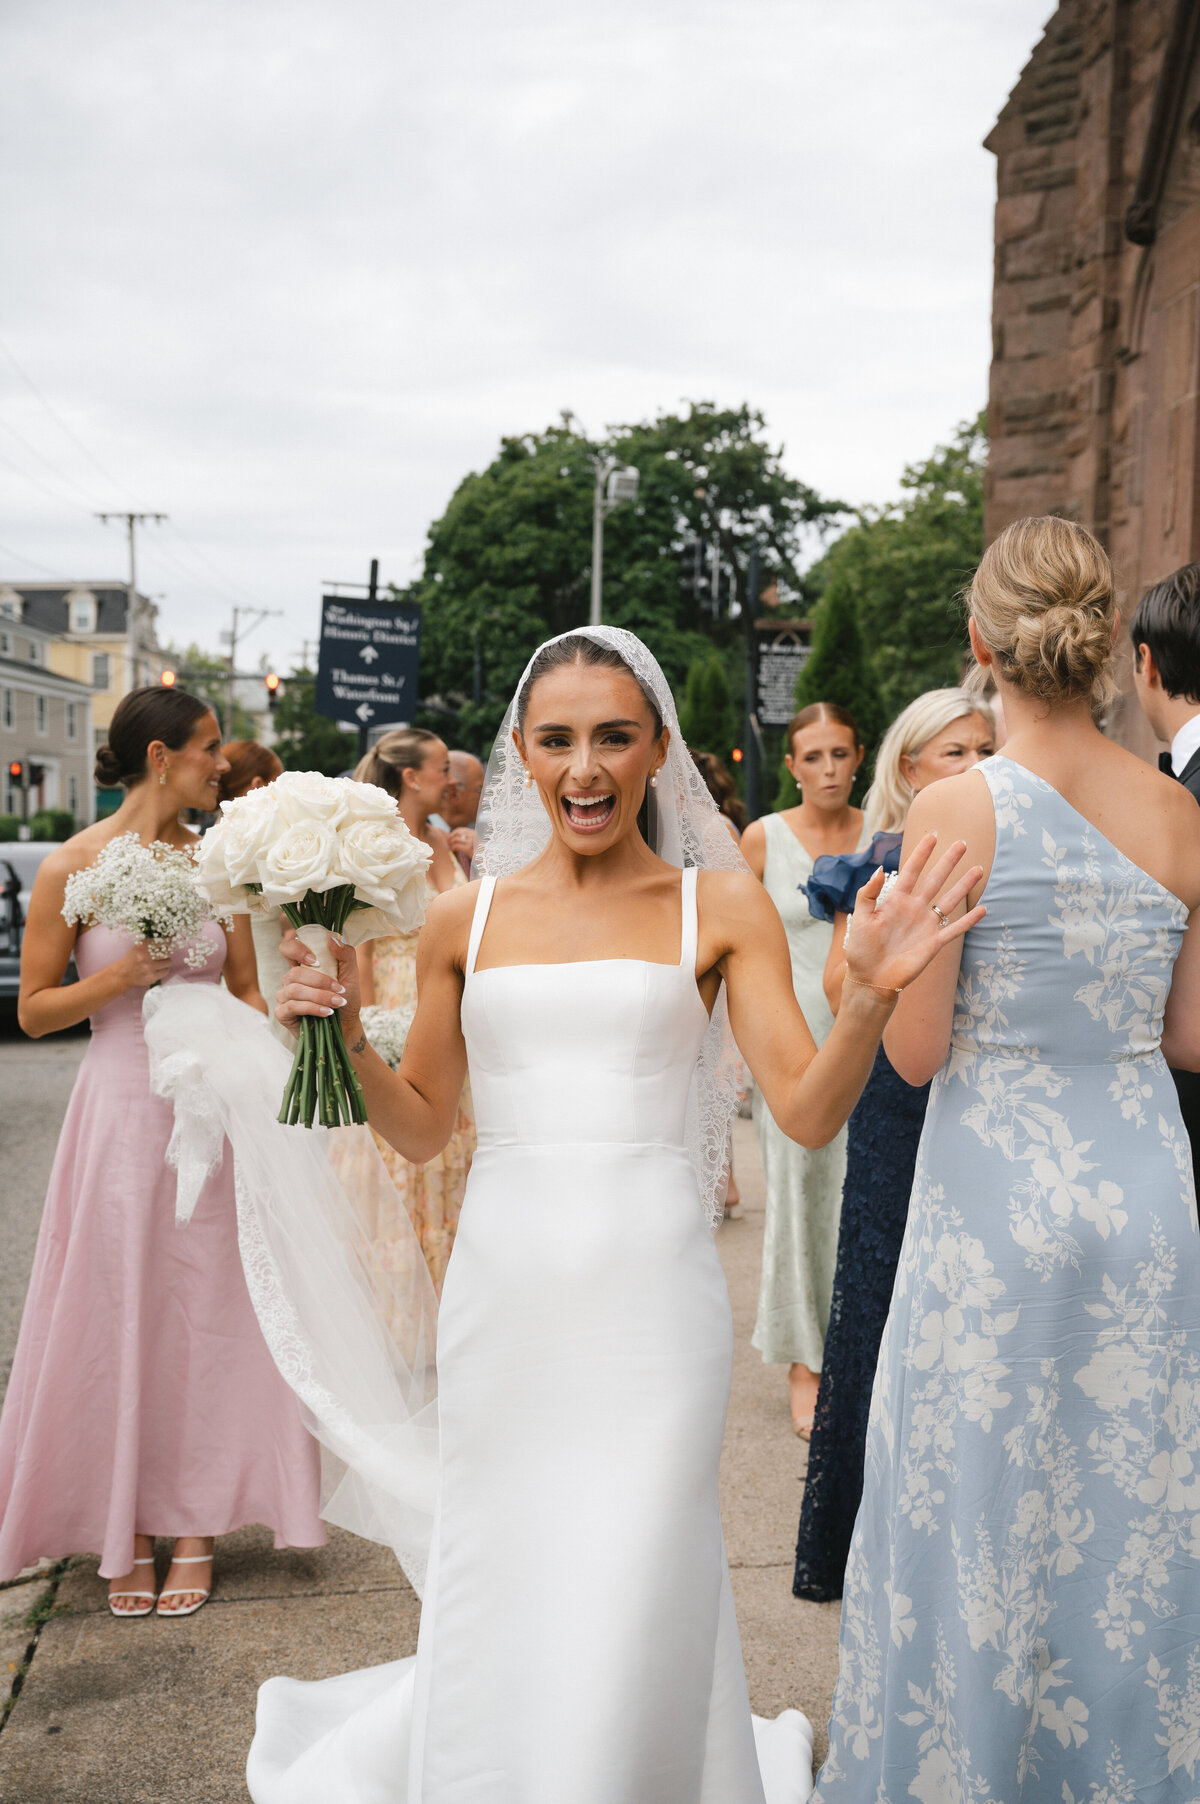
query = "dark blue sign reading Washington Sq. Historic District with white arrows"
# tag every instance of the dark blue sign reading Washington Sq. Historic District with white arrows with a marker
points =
(369, 663)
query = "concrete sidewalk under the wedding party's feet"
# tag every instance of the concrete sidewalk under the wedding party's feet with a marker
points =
(162, 1713)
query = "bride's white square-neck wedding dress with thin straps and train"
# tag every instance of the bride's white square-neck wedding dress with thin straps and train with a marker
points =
(578, 1641)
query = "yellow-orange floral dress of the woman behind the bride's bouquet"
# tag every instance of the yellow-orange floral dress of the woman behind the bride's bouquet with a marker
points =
(430, 1193)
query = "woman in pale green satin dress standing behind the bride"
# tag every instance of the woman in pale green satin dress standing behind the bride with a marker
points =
(804, 1190)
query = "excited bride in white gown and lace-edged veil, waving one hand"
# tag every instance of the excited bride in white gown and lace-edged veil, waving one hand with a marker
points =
(578, 1643)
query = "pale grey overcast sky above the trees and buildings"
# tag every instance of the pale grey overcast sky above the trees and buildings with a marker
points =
(290, 272)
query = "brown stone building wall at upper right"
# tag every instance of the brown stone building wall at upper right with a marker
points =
(1096, 322)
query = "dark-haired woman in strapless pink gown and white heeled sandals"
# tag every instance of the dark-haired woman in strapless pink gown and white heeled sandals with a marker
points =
(143, 1399)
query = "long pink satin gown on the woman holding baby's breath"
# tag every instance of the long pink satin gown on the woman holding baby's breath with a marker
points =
(143, 1397)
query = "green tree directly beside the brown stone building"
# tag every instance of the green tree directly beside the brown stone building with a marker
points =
(907, 566)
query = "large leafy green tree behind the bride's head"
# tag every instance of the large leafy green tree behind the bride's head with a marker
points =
(510, 560)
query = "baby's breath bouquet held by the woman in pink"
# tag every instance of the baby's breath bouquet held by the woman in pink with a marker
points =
(149, 892)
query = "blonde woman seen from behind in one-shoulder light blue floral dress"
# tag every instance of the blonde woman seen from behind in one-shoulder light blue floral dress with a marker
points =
(1022, 1610)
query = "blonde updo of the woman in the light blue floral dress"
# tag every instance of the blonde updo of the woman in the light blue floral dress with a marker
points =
(1044, 603)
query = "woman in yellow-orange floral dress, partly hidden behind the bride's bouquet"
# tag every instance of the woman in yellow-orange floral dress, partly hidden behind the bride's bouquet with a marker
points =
(414, 766)
